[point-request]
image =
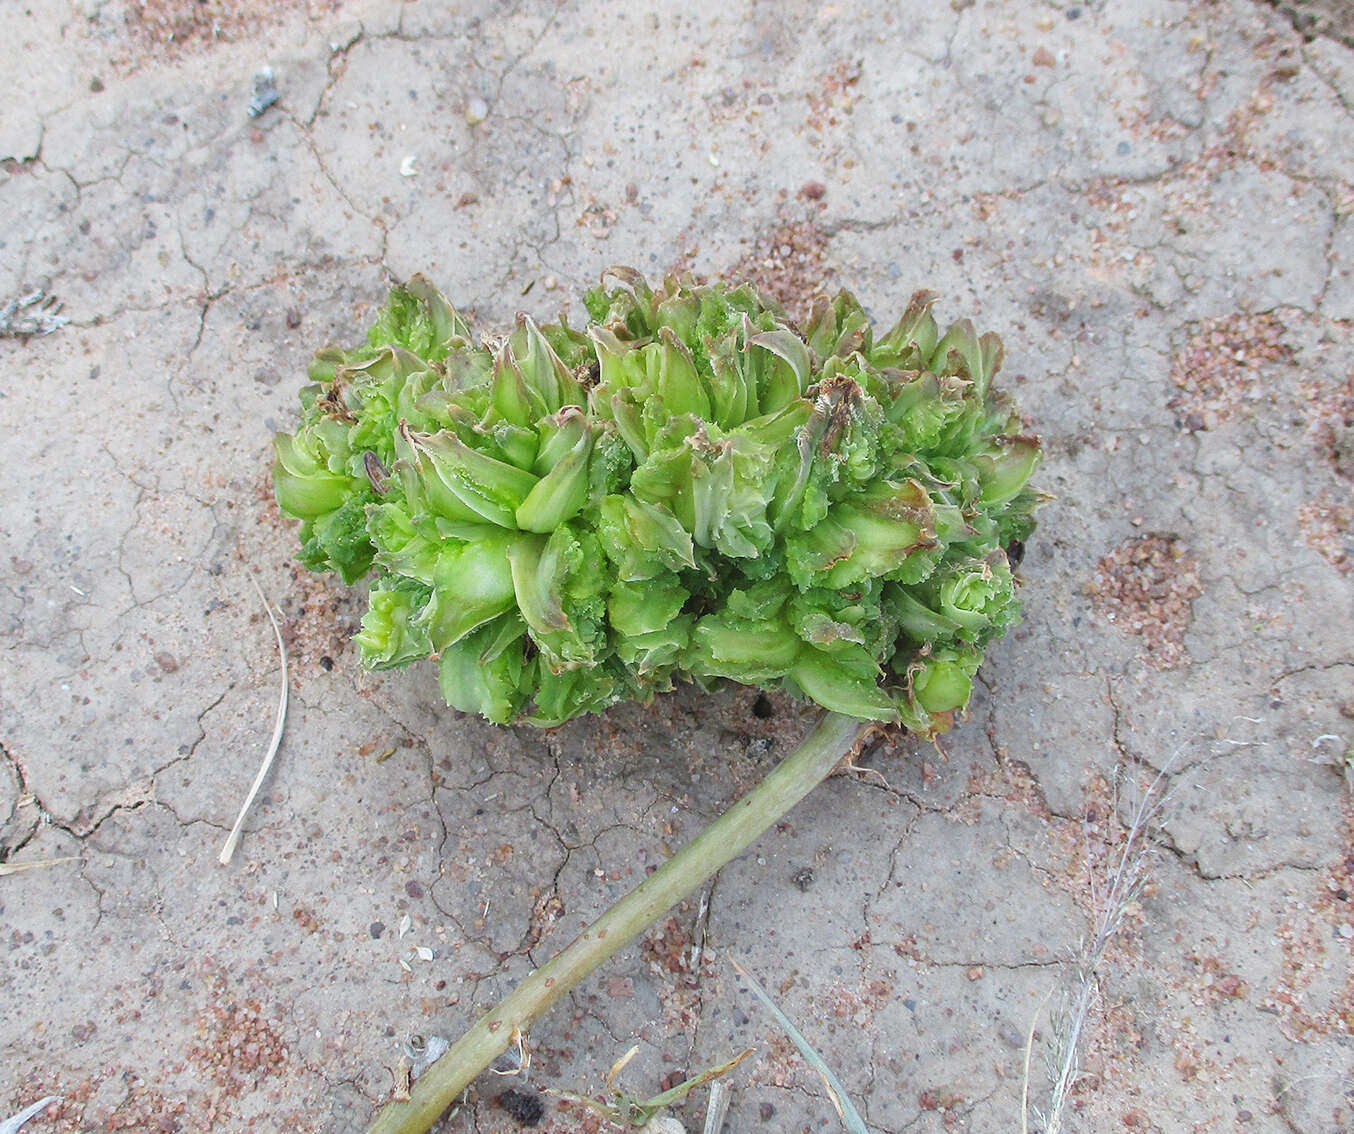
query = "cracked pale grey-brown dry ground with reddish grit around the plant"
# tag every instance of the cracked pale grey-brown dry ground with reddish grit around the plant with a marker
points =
(1152, 201)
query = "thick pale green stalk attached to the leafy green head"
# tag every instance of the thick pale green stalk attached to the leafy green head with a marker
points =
(728, 837)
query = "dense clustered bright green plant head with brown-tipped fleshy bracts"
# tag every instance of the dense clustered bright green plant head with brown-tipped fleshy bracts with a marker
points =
(687, 489)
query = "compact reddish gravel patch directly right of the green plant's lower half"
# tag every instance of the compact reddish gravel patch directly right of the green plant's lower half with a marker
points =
(1146, 587)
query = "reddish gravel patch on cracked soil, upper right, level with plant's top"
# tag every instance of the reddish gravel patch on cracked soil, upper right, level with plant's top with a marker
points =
(1223, 365)
